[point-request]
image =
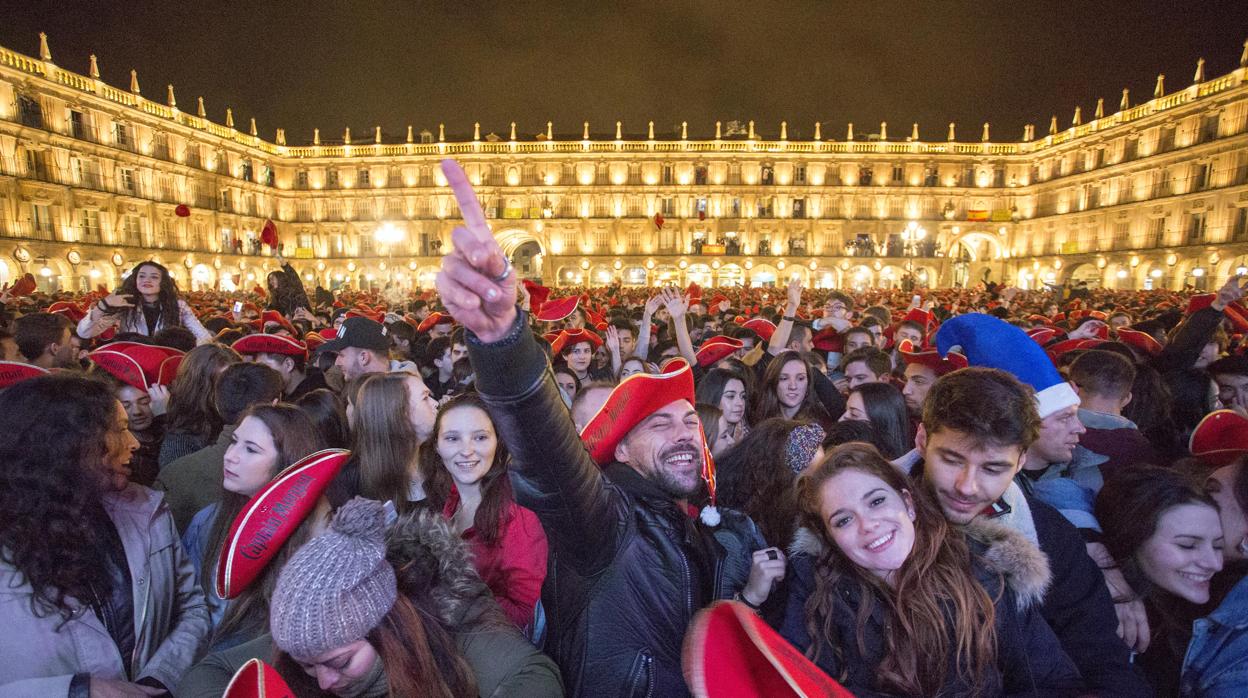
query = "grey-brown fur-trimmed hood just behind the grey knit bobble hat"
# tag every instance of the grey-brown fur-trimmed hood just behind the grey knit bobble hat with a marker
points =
(431, 561)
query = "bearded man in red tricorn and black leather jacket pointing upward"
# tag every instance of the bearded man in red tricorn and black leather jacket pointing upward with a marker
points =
(632, 561)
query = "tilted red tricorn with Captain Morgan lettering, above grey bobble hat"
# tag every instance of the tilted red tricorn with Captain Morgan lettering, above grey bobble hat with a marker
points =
(260, 530)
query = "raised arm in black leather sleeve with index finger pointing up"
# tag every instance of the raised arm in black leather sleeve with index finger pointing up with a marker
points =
(552, 473)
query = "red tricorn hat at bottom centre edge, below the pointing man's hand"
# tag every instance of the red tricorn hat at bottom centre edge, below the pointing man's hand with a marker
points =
(731, 652)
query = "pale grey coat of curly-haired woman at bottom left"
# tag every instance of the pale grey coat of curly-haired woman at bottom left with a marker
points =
(39, 656)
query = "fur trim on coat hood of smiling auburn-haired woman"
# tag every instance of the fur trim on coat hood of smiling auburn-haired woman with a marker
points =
(998, 548)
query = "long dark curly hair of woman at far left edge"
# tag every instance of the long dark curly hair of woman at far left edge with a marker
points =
(53, 431)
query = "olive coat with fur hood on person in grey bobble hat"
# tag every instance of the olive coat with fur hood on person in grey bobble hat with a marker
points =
(502, 661)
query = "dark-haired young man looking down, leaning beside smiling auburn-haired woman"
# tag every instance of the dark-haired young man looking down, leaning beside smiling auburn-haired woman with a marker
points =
(978, 425)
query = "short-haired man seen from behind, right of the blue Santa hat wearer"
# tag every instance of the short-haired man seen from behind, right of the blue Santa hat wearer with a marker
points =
(1104, 381)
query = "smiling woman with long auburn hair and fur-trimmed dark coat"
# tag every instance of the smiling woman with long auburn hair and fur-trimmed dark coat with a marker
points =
(892, 600)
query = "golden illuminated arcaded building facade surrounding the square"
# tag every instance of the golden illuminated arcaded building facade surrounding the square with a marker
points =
(1135, 197)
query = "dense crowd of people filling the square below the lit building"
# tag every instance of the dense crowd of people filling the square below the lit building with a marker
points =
(496, 489)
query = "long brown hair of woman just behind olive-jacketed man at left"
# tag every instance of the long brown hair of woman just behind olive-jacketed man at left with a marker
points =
(192, 409)
